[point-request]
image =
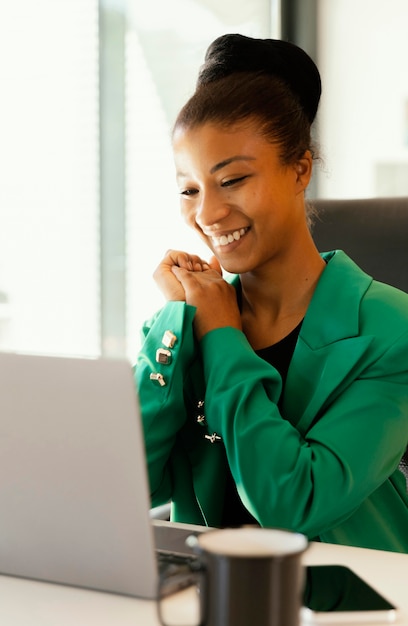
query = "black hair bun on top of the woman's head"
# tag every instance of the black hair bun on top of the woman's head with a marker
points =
(237, 53)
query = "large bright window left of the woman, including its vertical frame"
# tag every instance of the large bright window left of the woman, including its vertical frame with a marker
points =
(88, 203)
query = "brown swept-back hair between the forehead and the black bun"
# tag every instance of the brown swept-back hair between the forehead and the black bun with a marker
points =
(259, 99)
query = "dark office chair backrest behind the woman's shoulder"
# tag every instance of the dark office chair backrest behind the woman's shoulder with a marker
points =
(374, 233)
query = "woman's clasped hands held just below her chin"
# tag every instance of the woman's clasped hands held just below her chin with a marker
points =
(186, 277)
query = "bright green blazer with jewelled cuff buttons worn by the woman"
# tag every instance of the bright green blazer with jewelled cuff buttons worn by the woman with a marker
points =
(325, 463)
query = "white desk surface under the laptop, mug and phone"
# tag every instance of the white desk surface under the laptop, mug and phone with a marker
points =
(31, 603)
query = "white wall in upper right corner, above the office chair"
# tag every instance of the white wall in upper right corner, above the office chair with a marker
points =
(363, 119)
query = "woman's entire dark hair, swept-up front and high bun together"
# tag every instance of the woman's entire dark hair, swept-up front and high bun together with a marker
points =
(268, 83)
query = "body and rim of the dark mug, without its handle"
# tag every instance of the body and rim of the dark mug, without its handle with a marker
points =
(250, 576)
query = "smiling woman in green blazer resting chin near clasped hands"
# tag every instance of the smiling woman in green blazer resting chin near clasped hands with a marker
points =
(279, 396)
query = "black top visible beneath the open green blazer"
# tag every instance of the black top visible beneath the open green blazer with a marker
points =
(279, 355)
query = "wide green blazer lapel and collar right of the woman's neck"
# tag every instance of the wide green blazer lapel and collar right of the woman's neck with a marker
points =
(328, 348)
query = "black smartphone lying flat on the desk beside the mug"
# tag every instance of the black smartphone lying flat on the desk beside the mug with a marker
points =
(334, 593)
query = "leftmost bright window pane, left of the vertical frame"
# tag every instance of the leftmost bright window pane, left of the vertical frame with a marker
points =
(49, 206)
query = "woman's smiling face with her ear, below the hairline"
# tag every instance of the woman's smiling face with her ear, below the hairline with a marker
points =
(244, 203)
